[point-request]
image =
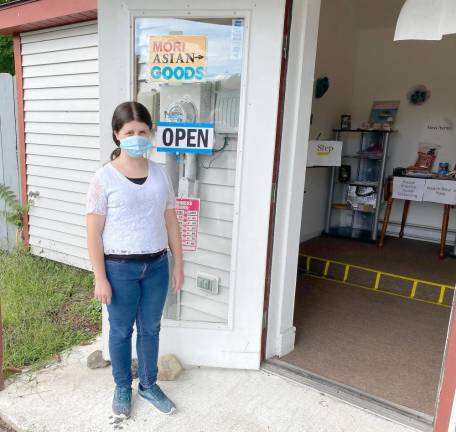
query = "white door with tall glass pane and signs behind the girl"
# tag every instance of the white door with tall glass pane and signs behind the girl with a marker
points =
(205, 63)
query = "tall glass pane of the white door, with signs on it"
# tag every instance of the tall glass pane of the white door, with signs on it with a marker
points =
(188, 74)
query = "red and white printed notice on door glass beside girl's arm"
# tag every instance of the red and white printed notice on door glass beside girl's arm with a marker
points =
(187, 210)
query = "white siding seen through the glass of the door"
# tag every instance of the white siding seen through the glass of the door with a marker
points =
(216, 175)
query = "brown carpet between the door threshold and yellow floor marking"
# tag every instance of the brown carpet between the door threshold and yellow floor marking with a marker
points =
(383, 345)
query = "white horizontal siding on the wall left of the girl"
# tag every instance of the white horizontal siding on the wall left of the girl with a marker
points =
(60, 79)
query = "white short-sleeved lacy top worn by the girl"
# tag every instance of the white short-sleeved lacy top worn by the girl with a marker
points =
(135, 213)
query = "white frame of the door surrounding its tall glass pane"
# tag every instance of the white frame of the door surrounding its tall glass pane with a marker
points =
(238, 346)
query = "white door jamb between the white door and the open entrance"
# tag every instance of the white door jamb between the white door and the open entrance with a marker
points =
(279, 332)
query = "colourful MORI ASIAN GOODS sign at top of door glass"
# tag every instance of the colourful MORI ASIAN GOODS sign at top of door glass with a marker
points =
(177, 58)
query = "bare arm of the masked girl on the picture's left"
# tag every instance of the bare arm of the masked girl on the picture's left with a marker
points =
(95, 224)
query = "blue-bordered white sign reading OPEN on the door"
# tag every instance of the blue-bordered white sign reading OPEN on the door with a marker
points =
(185, 137)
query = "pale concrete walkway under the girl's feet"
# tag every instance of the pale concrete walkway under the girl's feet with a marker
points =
(69, 397)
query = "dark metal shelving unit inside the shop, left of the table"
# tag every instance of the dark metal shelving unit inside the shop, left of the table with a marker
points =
(367, 170)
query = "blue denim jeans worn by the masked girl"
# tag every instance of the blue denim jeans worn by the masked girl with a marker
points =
(139, 289)
